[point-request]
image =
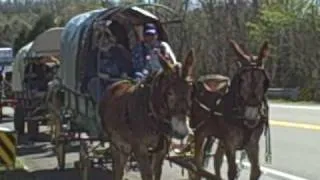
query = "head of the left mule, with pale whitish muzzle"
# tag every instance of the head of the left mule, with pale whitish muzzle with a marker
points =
(176, 94)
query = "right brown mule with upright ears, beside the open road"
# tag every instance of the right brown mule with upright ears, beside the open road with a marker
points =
(236, 118)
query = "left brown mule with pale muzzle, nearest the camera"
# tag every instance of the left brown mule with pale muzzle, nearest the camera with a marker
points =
(139, 119)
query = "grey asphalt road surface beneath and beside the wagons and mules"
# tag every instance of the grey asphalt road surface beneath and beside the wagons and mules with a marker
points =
(296, 151)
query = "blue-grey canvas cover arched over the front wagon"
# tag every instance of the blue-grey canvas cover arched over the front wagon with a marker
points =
(78, 34)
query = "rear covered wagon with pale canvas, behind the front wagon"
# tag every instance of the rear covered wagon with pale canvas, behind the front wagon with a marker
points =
(41, 54)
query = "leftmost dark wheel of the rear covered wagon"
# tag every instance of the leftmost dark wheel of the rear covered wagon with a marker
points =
(18, 119)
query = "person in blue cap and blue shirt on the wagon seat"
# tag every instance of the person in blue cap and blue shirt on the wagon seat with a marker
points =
(146, 54)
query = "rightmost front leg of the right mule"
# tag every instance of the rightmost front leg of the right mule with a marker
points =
(253, 156)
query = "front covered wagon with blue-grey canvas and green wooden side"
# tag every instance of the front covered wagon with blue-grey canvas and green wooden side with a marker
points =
(85, 45)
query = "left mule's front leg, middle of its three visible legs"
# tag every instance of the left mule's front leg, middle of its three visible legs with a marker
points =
(143, 159)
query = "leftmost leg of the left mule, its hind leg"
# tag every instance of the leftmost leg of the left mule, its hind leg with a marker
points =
(119, 160)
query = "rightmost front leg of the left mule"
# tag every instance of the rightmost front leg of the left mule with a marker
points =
(157, 161)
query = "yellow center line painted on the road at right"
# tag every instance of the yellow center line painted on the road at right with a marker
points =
(295, 125)
